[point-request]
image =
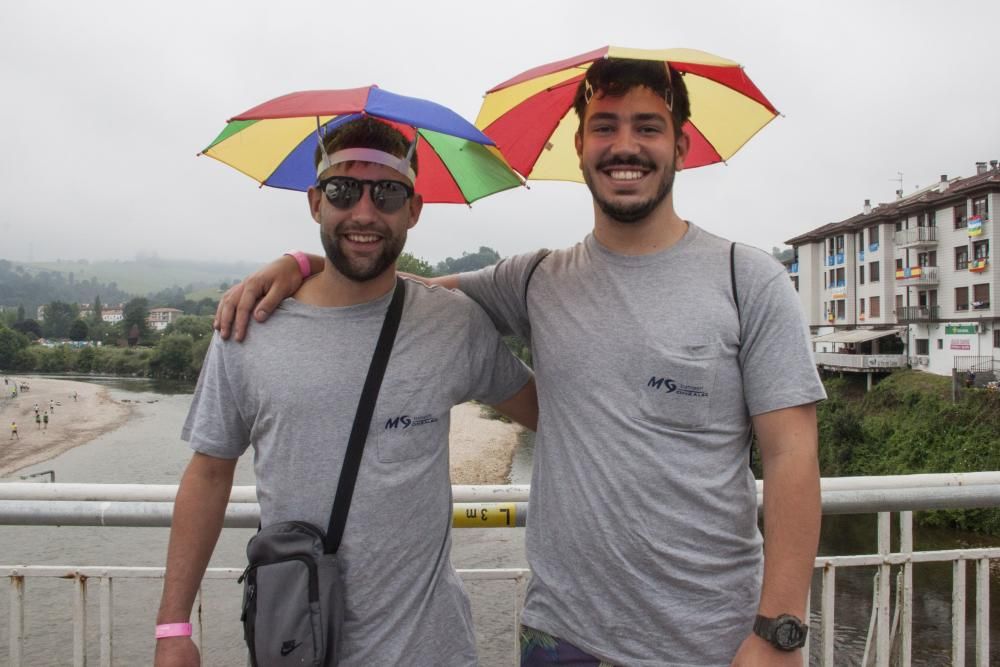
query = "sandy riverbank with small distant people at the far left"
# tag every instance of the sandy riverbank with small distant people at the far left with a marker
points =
(71, 422)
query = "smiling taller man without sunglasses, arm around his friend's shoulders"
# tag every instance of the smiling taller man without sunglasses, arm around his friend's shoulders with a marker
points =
(643, 538)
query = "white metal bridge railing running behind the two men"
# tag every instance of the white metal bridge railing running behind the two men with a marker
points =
(145, 505)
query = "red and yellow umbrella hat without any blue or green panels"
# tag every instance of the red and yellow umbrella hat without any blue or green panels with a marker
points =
(531, 118)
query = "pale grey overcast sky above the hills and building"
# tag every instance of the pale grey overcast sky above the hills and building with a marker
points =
(105, 105)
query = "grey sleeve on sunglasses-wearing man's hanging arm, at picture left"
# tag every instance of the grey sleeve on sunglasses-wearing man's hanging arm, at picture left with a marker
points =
(215, 425)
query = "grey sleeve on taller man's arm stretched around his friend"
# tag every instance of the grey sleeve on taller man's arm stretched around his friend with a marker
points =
(501, 291)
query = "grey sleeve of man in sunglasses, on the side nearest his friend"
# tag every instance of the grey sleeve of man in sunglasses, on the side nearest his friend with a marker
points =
(495, 374)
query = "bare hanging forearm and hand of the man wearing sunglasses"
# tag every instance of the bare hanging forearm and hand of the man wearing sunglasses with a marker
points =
(199, 511)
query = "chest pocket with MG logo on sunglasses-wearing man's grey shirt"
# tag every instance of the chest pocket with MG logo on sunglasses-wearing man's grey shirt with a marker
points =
(412, 422)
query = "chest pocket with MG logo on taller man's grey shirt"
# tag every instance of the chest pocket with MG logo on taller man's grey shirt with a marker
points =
(677, 386)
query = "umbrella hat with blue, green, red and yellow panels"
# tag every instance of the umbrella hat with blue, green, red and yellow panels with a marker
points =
(273, 143)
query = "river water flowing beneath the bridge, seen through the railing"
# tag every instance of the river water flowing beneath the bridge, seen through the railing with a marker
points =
(147, 449)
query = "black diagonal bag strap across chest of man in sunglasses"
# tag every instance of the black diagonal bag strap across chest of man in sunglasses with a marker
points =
(363, 419)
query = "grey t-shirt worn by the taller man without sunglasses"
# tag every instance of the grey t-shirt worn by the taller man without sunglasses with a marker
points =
(642, 535)
